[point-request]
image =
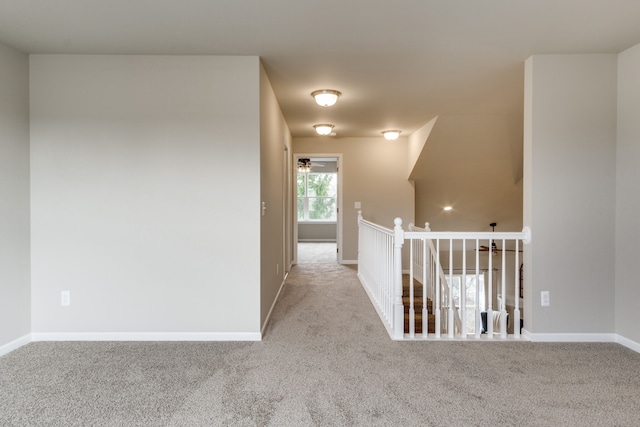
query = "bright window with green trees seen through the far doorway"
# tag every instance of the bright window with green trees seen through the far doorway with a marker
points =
(317, 194)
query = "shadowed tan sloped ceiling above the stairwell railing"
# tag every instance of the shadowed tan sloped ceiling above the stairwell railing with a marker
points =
(474, 164)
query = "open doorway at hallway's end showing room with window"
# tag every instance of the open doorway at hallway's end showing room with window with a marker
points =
(318, 208)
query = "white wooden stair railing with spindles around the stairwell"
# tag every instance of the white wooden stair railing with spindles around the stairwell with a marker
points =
(380, 271)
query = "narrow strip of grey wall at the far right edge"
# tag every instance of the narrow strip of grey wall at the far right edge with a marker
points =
(627, 250)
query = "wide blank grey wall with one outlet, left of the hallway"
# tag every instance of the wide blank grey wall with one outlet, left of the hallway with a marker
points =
(145, 185)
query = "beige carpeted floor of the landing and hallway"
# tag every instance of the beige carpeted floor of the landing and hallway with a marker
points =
(326, 360)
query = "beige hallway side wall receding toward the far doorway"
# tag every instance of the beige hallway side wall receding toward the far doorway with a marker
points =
(275, 143)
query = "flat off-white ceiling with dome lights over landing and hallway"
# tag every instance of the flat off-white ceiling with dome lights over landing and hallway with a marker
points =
(398, 63)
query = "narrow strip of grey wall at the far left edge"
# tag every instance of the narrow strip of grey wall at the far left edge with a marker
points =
(15, 310)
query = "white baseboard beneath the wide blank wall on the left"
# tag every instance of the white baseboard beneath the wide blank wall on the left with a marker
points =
(146, 336)
